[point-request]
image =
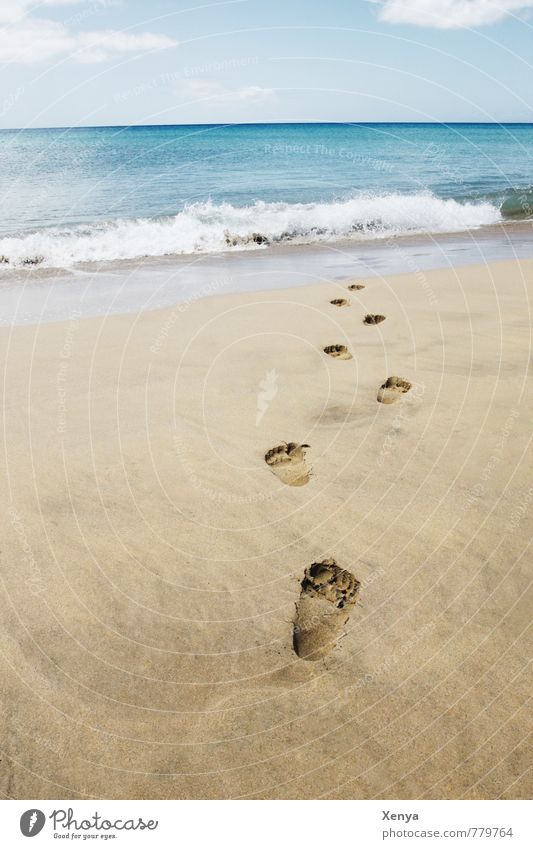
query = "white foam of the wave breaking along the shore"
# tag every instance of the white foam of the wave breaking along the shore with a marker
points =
(209, 228)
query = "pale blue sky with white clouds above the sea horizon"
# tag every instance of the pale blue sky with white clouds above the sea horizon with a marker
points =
(115, 62)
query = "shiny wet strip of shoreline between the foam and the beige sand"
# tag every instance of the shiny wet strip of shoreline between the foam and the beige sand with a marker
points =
(41, 296)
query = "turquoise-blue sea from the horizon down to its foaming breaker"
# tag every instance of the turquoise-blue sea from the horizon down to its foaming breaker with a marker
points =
(112, 193)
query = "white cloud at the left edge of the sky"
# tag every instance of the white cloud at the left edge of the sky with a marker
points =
(25, 38)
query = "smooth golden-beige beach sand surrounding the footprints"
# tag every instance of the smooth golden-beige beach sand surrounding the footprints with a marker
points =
(151, 560)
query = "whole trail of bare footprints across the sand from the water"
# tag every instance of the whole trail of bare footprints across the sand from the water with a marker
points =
(328, 592)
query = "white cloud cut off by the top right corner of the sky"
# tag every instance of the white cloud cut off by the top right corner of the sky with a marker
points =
(449, 14)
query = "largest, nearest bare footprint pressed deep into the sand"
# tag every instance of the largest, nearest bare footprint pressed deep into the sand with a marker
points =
(328, 596)
